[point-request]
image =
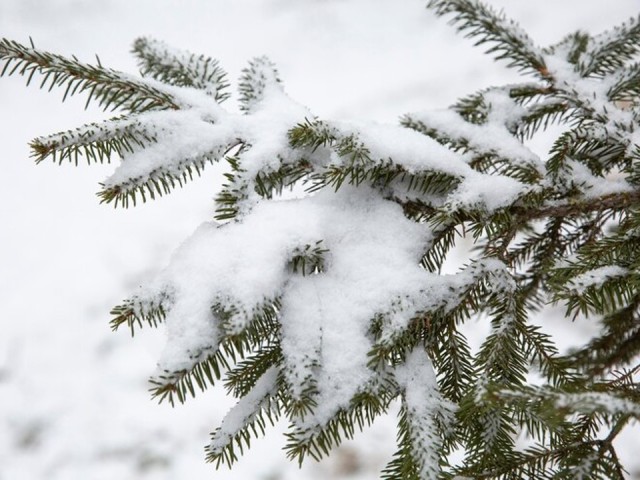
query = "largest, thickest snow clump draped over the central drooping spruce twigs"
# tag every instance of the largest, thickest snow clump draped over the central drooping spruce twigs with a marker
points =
(373, 257)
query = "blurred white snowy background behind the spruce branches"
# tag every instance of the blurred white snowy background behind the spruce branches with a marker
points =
(73, 395)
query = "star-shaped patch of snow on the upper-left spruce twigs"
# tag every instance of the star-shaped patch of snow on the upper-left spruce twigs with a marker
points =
(203, 132)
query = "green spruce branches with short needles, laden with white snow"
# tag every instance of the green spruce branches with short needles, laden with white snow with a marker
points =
(327, 304)
